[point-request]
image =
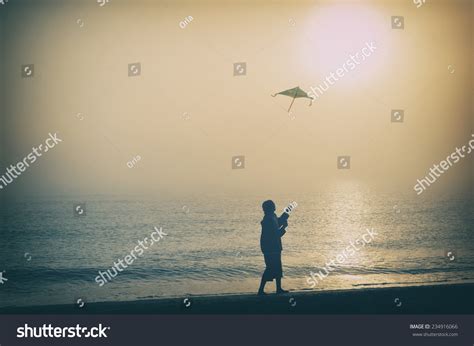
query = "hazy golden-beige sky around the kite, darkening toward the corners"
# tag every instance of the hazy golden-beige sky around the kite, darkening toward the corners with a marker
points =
(187, 115)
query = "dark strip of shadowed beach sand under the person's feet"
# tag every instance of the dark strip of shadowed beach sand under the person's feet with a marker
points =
(438, 299)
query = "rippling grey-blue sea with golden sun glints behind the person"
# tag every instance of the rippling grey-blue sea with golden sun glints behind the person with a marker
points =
(52, 253)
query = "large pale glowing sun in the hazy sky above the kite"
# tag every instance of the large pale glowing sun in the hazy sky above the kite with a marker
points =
(334, 32)
